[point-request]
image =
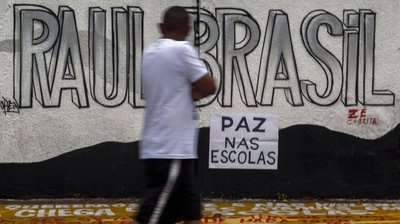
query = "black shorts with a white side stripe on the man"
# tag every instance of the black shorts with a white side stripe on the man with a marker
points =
(171, 192)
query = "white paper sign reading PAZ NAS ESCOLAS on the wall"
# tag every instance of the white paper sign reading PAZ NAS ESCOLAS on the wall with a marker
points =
(243, 141)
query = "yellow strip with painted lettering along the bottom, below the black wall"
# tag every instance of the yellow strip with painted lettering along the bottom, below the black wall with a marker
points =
(215, 211)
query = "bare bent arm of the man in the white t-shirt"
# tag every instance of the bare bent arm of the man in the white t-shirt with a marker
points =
(203, 87)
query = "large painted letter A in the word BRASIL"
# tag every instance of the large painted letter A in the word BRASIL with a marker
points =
(278, 68)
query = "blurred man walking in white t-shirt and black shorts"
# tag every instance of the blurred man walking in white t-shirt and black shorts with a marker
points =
(173, 77)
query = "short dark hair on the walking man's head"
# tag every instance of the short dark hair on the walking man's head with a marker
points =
(175, 18)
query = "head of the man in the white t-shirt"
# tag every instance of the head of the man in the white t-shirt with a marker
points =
(175, 23)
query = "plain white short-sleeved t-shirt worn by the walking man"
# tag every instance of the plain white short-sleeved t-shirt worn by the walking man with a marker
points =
(170, 129)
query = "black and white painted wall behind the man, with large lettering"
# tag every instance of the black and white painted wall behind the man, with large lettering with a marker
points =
(73, 110)
